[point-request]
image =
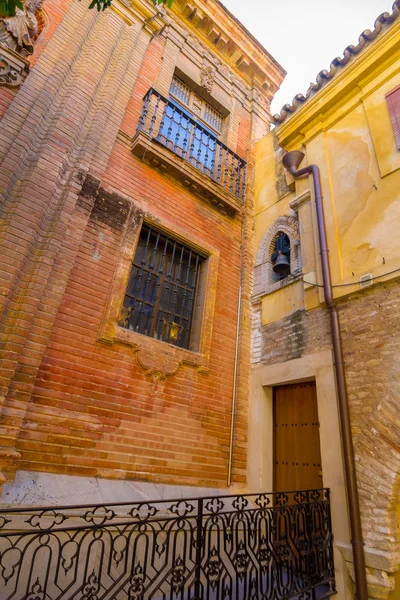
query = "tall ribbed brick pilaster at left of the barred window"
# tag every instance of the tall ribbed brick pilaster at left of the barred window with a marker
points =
(61, 125)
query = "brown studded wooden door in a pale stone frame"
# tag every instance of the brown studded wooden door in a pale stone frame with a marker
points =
(297, 455)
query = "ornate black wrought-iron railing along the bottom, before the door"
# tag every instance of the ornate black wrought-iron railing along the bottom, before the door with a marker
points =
(267, 546)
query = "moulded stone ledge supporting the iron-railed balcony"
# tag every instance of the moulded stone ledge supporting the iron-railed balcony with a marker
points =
(152, 152)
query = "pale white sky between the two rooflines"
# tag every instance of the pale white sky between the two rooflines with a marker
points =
(305, 35)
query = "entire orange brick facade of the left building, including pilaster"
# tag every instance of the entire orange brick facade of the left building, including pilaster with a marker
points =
(74, 197)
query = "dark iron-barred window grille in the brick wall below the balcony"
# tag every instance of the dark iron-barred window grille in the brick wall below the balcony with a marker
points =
(161, 291)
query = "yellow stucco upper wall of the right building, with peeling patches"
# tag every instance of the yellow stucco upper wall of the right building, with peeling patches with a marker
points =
(348, 134)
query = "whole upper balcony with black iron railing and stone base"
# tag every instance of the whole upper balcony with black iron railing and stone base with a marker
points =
(170, 138)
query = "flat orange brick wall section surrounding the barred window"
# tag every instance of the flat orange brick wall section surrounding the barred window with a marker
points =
(94, 397)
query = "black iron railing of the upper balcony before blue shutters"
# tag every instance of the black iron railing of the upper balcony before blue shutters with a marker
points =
(177, 129)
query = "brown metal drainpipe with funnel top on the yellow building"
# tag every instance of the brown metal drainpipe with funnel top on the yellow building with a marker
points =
(291, 162)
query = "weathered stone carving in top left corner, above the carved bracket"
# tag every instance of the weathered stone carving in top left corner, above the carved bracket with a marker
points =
(17, 32)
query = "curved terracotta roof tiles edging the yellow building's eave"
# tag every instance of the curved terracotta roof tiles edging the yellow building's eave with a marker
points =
(382, 23)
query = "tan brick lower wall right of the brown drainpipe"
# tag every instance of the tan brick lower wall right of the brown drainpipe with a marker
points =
(370, 331)
